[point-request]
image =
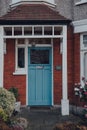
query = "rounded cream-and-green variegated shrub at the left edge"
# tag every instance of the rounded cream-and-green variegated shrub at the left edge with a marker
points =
(7, 101)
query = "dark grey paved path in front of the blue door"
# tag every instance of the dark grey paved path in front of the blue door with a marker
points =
(45, 119)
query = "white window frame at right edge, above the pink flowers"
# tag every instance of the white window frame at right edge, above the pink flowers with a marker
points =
(83, 50)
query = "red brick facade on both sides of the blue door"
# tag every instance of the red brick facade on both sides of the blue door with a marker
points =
(19, 81)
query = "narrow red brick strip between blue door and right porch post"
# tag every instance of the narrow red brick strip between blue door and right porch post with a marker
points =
(57, 73)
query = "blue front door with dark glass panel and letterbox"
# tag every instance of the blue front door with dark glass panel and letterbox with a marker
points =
(39, 76)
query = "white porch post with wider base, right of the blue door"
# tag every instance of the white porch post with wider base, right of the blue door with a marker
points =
(64, 101)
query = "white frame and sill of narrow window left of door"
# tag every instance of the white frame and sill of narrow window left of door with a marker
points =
(19, 71)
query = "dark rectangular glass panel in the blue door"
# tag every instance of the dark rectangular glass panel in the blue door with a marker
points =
(39, 56)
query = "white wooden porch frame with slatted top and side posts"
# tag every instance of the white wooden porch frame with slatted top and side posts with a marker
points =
(53, 34)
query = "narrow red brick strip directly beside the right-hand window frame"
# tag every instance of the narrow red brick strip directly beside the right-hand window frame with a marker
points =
(77, 66)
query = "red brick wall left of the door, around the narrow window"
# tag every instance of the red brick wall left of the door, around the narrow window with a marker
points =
(9, 67)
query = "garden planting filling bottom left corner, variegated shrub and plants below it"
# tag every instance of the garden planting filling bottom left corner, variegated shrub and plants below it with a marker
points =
(7, 104)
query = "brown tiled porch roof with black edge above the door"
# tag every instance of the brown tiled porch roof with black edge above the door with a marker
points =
(33, 14)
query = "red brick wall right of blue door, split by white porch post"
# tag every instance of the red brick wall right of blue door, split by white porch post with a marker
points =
(58, 73)
